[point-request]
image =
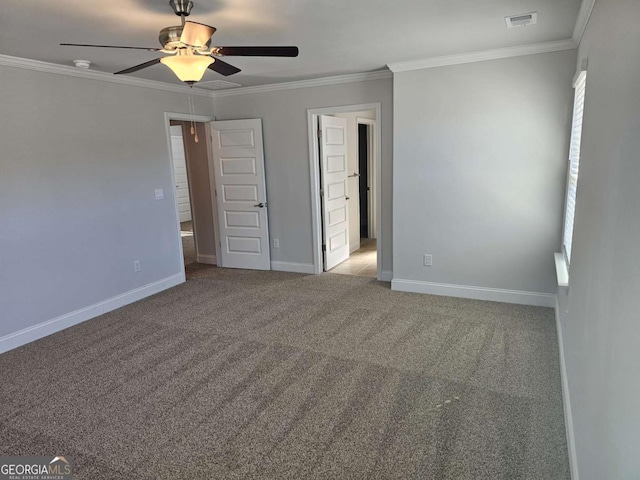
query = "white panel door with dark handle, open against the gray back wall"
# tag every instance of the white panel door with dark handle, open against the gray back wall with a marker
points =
(241, 194)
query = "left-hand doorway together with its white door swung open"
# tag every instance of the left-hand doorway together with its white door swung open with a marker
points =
(224, 221)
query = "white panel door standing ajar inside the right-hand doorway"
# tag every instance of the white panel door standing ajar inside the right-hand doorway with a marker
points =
(333, 187)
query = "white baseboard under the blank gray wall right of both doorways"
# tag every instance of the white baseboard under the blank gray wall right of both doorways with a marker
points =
(477, 293)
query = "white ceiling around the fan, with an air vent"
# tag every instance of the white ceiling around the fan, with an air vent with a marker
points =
(335, 36)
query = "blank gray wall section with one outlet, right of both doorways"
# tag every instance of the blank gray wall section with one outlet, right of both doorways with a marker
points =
(479, 171)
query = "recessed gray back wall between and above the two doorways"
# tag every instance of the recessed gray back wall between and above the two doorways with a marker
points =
(286, 149)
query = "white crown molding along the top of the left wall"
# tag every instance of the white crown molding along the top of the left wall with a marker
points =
(47, 67)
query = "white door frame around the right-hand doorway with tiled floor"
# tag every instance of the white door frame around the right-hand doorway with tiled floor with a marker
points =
(314, 161)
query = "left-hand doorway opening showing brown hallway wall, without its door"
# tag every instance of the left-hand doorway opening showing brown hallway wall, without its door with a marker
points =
(195, 202)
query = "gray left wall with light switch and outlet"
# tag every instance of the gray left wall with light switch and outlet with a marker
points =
(79, 162)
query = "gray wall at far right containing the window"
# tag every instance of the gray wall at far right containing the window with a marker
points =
(600, 312)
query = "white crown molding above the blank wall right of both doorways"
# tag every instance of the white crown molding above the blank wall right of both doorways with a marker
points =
(483, 56)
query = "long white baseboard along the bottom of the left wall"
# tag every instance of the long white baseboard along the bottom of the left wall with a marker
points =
(35, 332)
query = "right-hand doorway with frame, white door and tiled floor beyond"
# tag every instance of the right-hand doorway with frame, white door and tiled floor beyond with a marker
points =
(360, 193)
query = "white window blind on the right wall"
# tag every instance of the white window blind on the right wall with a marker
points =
(574, 163)
